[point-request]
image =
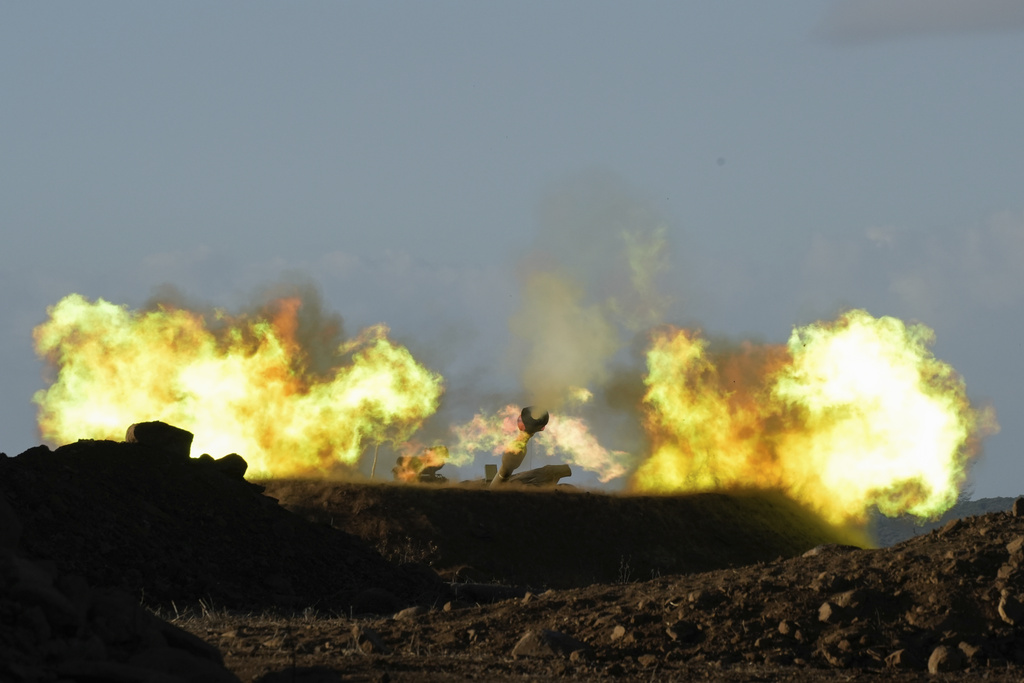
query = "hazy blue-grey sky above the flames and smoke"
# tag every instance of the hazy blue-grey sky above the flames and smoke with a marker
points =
(805, 157)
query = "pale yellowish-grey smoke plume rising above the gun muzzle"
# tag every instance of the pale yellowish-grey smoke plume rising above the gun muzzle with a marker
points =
(588, 285)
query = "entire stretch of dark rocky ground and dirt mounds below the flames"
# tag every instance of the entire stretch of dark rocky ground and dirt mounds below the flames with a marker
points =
(120, 562)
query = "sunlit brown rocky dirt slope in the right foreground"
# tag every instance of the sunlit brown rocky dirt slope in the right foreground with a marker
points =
(950, 603)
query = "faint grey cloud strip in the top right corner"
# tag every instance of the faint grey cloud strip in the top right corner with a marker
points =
(851, 22)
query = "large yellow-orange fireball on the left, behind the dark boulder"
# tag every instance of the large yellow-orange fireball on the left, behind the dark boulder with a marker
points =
(244, 387)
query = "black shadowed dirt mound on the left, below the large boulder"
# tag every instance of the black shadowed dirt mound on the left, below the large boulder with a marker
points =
(175, 531)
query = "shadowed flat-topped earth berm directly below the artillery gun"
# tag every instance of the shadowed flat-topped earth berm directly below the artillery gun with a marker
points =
(560, 538)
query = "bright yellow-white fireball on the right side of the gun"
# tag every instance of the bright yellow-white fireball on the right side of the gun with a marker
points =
(850, 414)
